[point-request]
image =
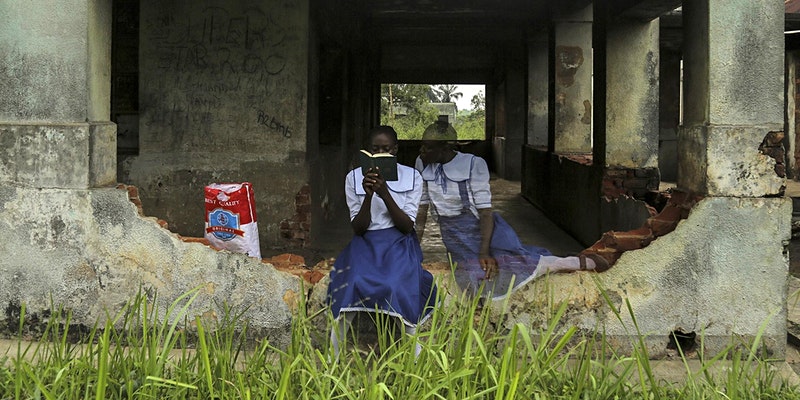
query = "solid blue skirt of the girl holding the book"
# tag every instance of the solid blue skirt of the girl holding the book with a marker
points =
(381, 271)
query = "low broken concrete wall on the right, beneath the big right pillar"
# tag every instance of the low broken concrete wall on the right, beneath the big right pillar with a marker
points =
(695, 279)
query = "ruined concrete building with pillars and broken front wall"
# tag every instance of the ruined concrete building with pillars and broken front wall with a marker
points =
(591, 107)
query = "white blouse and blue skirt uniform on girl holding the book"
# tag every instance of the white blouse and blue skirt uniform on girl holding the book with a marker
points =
(381, 270)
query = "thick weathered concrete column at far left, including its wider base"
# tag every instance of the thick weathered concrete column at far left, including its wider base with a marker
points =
(55, 97)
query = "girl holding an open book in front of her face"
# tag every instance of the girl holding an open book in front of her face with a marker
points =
(380, 270)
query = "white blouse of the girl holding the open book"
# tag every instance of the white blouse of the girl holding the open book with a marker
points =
(406, 192)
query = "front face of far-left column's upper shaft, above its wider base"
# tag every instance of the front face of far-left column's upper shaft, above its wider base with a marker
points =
(44, 55)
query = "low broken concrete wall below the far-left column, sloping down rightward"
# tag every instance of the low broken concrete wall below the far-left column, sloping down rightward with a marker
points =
(90, 252)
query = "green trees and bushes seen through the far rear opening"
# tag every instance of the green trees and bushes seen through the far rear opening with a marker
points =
(409, 109)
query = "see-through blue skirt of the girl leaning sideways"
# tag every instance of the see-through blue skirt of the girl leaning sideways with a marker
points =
(516, 262)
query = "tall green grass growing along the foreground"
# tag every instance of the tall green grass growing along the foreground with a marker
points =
(136, 355)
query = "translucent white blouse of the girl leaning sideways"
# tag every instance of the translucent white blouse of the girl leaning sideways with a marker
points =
(441, 184)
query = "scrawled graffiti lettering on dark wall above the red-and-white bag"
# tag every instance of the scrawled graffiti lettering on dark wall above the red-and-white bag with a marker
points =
(213, 70)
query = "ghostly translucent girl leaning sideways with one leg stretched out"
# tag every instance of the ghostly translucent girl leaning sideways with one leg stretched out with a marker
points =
(490, 260)
